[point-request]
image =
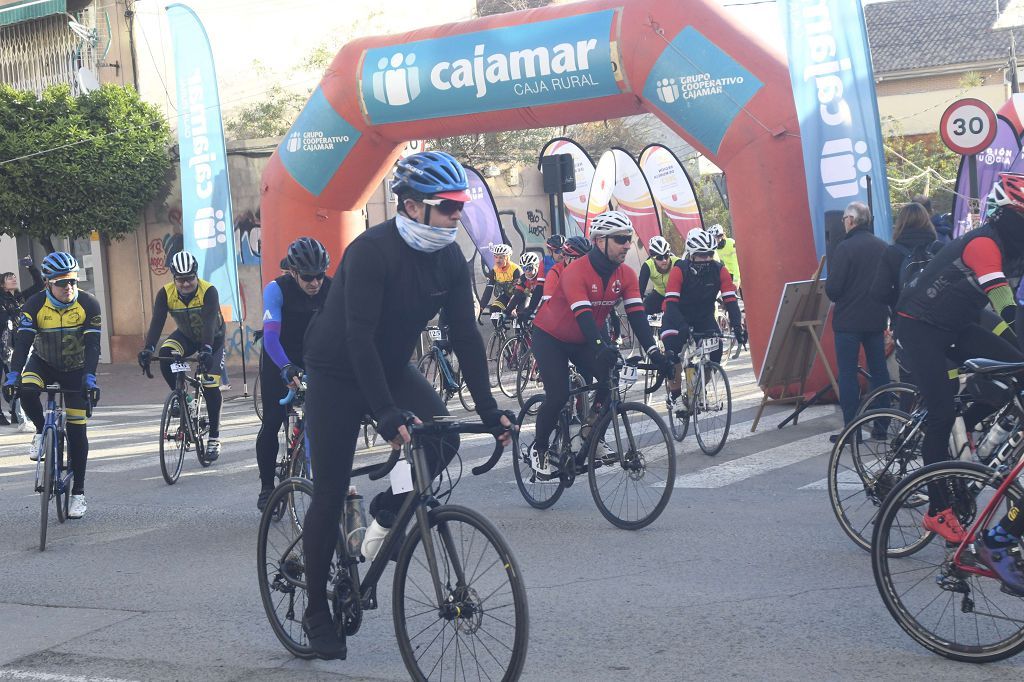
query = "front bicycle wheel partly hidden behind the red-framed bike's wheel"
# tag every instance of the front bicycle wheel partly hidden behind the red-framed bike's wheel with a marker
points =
(872, 455)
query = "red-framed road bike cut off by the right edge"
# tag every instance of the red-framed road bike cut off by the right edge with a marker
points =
(942, 594)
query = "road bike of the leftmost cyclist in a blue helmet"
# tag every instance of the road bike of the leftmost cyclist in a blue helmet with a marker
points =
(54, 478)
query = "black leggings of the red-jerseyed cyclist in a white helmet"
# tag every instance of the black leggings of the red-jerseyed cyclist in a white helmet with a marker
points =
(553, 363)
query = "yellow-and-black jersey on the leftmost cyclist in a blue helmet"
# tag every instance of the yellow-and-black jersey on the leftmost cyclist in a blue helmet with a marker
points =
(67, 338)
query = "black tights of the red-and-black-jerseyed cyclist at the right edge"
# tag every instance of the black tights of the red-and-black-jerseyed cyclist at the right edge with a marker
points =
(927, 350)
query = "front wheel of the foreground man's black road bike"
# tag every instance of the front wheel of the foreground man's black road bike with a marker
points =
(483, 621)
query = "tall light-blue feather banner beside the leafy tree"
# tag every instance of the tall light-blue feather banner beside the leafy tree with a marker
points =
(206, 197)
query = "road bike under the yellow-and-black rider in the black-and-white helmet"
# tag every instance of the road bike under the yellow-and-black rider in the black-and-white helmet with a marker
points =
(185, 424)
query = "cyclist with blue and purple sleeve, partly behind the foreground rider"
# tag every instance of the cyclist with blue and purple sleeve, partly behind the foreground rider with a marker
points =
(289, 304)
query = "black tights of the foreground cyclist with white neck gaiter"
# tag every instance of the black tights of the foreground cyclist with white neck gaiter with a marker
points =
(334, 414)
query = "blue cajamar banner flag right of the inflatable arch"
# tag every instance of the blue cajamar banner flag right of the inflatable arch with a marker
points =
(834, 91)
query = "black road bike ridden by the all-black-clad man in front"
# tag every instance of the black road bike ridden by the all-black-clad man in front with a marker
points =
(459, 601)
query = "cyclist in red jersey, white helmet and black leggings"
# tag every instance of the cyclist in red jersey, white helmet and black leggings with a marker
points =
(571, 326)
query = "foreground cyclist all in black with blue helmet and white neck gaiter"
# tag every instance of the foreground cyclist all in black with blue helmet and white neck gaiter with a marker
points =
(393, 281)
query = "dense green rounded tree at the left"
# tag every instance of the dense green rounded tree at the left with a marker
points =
(73, 165)
